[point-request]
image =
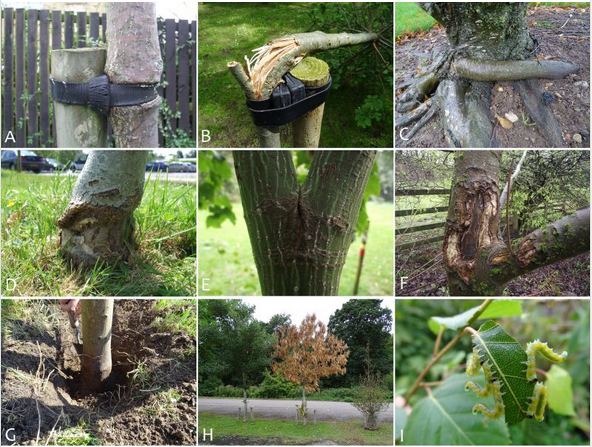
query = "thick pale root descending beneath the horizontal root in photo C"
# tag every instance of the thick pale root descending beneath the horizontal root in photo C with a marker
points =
(464, 113)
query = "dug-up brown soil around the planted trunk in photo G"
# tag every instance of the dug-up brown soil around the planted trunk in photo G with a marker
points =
(41, 384)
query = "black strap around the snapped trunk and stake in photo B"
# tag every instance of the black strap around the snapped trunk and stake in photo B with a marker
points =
(288, 102)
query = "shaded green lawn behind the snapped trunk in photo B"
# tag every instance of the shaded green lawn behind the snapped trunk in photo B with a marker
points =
(229, 31)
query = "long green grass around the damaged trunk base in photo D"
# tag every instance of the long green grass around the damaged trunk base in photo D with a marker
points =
(162, 264)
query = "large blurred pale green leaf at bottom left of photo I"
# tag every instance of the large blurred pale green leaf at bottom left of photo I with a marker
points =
(446, 418)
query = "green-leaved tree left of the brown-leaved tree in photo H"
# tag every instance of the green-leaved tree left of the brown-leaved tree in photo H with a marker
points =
(234, 346)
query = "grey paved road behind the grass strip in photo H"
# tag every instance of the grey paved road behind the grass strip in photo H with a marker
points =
(272, 408)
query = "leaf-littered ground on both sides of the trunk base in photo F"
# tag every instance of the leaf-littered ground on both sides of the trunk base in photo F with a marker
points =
(570, 277)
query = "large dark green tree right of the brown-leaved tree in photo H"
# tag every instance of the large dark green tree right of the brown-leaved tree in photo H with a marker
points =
(364, 325)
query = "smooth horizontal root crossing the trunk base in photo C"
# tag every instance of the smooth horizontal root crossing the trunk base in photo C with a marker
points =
(490, 71)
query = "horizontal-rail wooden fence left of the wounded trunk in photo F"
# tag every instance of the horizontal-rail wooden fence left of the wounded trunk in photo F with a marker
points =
(422, 228)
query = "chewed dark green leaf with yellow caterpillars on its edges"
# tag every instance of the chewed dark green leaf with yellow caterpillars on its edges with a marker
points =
(506, 359)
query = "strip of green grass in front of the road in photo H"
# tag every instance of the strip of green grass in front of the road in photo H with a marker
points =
(350, 432)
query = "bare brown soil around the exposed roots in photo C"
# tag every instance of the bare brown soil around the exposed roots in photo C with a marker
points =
(571, 104)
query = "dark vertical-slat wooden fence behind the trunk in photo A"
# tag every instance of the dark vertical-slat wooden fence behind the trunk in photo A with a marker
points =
(27, 112)
